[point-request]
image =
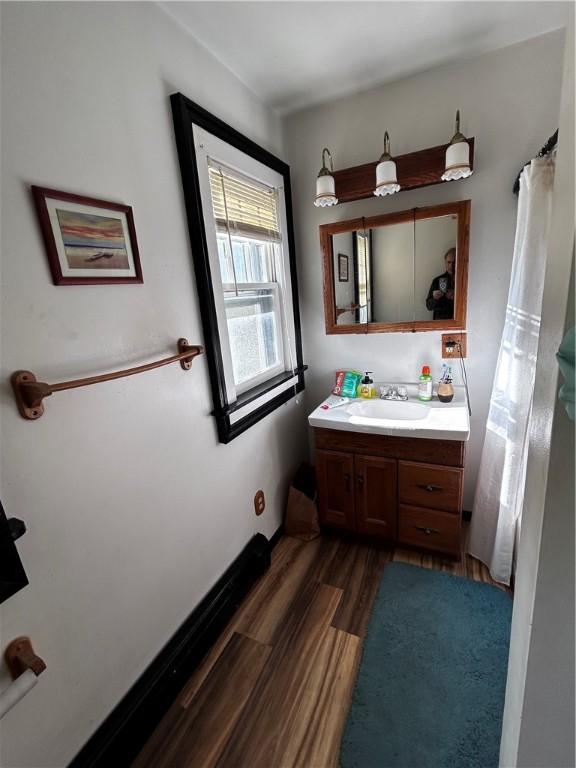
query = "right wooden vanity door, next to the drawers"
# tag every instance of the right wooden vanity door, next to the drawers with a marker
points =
(376, 497)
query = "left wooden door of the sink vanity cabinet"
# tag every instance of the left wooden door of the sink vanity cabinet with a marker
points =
(335, 476)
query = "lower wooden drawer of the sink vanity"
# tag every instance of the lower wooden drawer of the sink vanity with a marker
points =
(430, 529)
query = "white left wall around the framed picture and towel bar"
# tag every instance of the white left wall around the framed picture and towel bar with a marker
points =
(133, 509)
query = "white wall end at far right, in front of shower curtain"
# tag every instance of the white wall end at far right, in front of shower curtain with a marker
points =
(538, 724)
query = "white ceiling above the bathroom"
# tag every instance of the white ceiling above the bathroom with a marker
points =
(297, 54)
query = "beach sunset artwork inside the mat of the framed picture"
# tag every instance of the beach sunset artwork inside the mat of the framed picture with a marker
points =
(92, 241)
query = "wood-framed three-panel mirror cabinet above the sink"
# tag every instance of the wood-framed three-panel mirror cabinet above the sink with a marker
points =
(405, 271)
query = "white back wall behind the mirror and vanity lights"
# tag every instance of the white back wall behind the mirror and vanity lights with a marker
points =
(509, 101)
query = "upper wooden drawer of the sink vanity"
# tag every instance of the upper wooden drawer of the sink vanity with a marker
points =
(430, 485)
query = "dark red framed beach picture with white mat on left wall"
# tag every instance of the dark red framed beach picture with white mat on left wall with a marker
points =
(88, 241)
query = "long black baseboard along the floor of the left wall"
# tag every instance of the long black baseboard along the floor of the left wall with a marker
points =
(125, 731)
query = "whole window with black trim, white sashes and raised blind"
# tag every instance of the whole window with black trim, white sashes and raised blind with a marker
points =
(239, 216)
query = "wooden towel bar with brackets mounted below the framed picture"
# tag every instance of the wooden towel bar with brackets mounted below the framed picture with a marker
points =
(29, 392)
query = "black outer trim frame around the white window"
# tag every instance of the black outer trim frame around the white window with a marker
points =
(187, 113)
